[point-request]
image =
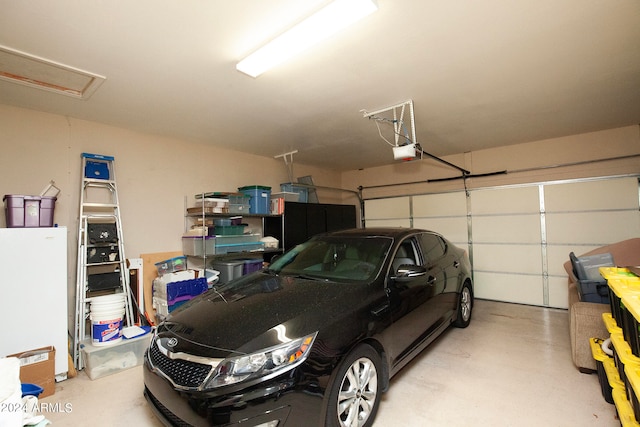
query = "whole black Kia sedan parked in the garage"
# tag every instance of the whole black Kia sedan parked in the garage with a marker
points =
(313, 339)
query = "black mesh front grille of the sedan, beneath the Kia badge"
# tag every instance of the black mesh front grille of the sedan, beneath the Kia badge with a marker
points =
(182, 373)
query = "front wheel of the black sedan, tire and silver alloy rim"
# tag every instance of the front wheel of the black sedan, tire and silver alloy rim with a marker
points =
(354, 396)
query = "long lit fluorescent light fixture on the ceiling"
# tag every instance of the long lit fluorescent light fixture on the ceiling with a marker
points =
(319, 26)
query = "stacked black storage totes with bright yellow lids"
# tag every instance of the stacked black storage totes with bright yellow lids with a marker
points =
(620, 373)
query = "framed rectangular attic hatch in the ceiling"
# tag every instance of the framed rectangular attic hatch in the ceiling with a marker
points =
(29, 70)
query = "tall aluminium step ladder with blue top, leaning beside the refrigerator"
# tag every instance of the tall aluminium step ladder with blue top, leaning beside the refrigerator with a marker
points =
(101, 268)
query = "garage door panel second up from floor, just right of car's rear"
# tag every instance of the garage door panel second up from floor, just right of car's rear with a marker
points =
(508, 258)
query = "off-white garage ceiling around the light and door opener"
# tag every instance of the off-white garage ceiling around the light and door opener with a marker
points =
(481, 74)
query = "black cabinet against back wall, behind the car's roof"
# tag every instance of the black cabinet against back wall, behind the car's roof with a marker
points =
(304, 220)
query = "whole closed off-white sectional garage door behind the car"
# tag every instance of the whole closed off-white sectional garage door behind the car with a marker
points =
(519, 237)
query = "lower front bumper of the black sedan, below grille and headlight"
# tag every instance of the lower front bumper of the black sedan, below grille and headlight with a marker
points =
(281, 399)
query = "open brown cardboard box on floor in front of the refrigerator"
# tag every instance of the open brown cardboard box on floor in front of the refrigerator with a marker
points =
(38, 367)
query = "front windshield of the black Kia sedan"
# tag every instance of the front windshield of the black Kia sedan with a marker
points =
(335, 258)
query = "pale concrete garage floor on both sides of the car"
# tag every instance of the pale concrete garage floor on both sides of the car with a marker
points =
(511, 367)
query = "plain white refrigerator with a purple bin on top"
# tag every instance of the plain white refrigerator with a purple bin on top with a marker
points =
(33, 287)
